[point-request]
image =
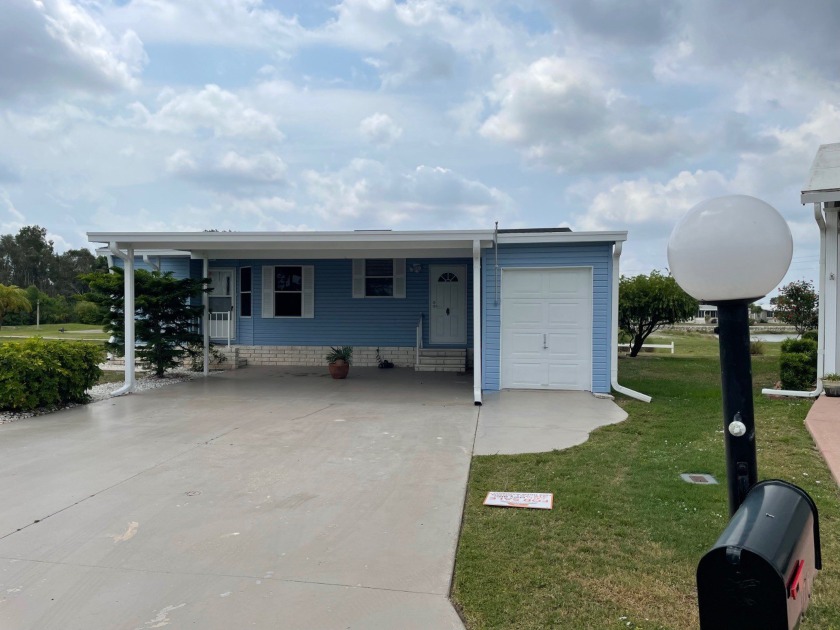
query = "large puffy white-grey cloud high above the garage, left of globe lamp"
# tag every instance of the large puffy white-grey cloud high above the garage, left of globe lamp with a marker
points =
(557, 112)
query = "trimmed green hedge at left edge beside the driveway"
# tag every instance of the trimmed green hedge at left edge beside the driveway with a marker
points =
(39, 373)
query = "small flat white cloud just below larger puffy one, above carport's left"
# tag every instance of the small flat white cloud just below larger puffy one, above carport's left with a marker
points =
(231, 168)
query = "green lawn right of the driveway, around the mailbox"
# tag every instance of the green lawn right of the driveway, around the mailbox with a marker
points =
(621, 546)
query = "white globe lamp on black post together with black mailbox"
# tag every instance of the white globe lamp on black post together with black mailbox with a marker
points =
(758, 575)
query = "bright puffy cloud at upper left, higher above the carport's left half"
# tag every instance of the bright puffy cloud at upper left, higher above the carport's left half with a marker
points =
(212, 108)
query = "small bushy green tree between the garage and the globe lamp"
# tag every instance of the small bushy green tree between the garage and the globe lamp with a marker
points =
(647, 303)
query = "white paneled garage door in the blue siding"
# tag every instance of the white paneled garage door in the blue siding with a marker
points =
(546, 329)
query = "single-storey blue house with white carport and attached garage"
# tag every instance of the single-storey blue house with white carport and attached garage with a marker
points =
(525, 309)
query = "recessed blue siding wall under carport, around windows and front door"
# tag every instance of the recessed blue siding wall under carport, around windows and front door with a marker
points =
(339, 318)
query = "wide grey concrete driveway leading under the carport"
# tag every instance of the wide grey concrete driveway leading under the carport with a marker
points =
(264, 498)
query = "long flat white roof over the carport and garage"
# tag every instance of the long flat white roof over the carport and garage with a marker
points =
(357, 244)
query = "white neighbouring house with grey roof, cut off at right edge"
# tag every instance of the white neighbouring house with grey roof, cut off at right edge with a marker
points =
(823, 191)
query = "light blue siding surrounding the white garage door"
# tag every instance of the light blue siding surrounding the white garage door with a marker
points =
(598, 256)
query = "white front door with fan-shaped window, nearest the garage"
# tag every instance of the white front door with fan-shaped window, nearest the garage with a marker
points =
(448, 313)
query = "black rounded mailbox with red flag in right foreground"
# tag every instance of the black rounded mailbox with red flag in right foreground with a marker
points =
(759, 573)
